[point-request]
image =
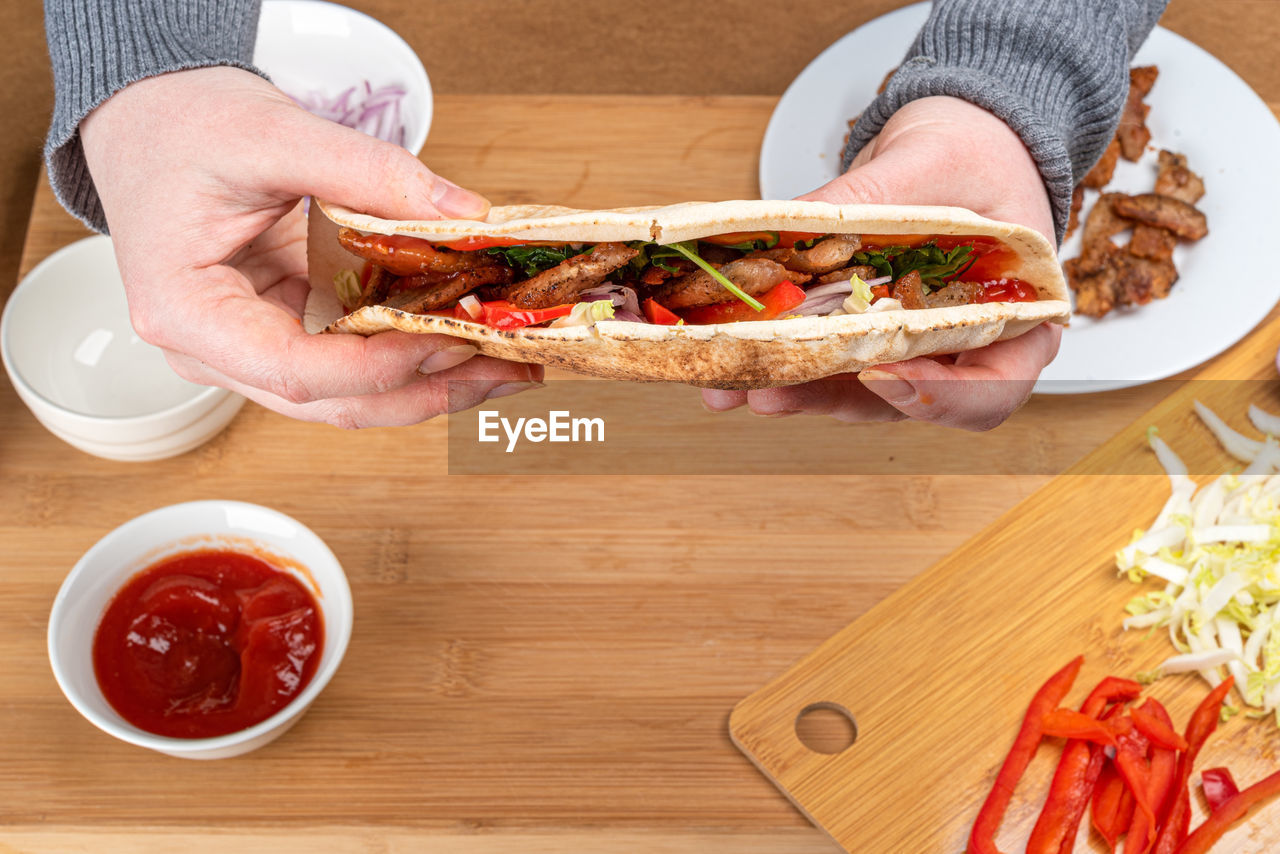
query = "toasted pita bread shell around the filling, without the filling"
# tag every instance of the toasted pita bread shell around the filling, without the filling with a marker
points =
(738, 355)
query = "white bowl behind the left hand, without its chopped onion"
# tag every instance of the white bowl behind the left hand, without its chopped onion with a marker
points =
(316, 47)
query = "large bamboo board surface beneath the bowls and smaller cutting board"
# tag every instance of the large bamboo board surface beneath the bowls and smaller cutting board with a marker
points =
(540, 664)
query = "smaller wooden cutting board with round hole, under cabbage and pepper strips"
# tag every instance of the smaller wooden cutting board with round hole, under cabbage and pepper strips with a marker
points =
(939, 675)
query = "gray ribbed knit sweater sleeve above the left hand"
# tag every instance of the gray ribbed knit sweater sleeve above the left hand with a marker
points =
(100, 47)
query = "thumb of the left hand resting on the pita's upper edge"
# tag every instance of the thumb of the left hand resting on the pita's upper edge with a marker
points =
(364, 173)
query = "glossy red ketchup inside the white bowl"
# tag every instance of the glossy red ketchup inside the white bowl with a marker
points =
(207, 643)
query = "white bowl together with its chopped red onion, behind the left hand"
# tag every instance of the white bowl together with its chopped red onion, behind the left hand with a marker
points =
(348, 67)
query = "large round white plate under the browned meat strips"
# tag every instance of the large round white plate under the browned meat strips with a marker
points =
(1199, 108)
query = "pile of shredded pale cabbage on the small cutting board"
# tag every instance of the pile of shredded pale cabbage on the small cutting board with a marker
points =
(1218, 551)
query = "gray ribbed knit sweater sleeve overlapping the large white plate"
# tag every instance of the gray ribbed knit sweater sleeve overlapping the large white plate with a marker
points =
(1055, 71)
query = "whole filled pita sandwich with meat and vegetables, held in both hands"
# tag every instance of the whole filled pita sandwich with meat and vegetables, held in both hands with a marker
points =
(939, 281)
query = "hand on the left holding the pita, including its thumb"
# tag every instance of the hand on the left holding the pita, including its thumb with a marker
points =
(200, 175)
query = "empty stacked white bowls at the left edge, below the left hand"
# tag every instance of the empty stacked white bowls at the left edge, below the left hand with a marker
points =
(75, 360)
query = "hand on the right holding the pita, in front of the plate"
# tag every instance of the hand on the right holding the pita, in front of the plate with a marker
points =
(934, 152)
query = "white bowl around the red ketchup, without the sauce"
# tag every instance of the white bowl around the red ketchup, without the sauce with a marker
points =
(141, 542)
